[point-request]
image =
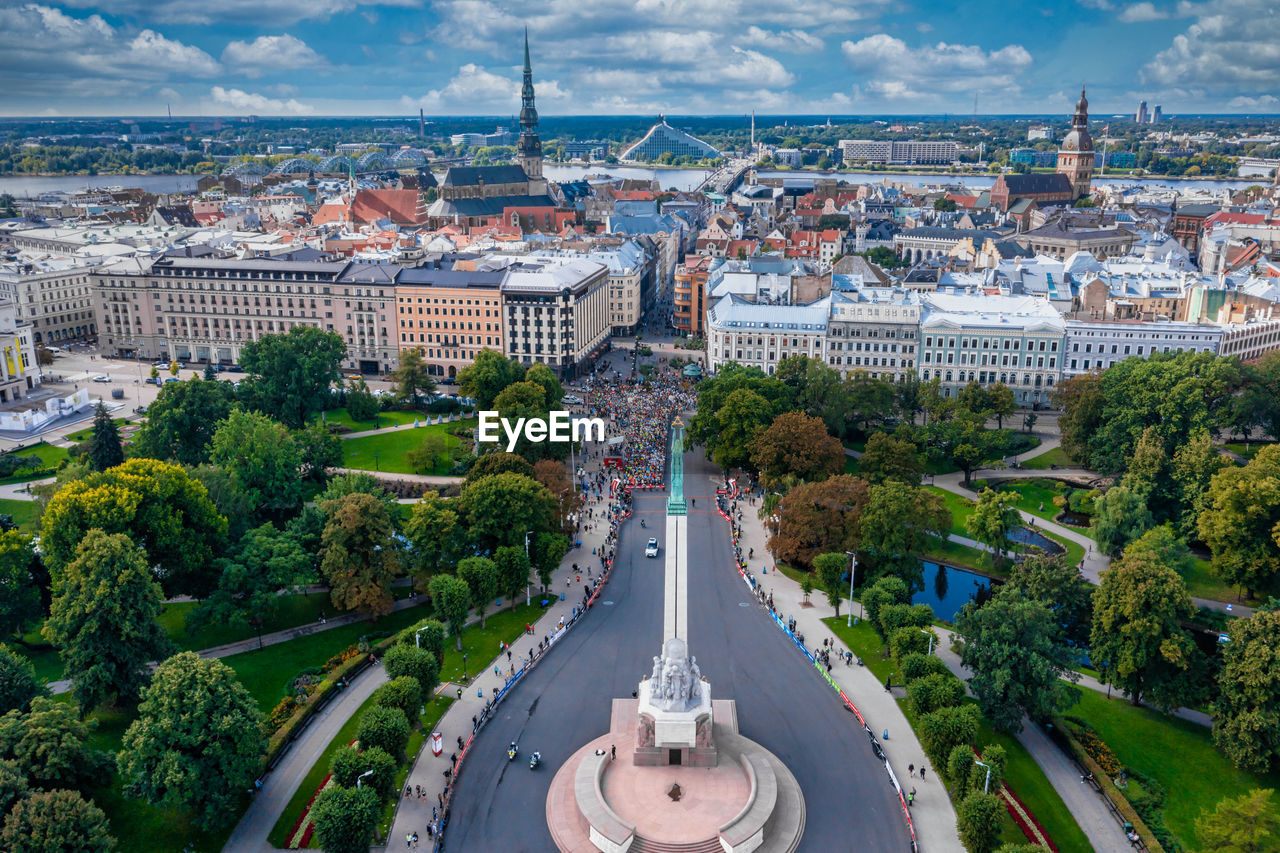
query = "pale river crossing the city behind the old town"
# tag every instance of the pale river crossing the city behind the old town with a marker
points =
(30, 186)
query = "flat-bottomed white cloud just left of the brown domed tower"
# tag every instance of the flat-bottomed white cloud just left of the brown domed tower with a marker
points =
(899, 72)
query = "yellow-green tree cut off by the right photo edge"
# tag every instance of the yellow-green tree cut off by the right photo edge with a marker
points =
(1242, 519)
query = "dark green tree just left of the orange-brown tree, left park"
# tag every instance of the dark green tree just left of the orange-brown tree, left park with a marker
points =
(269, 560)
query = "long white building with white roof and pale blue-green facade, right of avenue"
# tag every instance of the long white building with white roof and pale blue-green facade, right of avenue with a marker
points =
(976, 337)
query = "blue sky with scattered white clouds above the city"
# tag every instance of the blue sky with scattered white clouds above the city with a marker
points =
(643, 57)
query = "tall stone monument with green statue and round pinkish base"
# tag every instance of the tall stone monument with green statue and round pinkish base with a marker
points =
(674, 776)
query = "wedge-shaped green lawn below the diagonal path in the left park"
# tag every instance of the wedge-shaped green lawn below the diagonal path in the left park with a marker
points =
(267, 673)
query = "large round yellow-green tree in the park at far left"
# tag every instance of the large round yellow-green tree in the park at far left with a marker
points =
(158, 505)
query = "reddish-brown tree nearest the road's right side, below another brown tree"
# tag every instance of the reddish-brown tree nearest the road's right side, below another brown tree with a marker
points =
(820, 517)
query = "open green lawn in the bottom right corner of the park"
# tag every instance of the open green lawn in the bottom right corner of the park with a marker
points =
(1177, 754)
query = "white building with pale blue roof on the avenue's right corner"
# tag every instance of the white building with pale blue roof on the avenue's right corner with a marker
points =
(761, 336)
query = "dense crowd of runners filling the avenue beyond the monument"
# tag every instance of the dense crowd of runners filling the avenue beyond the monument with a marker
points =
(641, 416)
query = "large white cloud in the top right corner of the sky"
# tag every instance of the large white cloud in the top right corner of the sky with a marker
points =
(1232, 45)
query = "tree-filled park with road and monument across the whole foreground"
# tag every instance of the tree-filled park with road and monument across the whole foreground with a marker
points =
(272, 617)
